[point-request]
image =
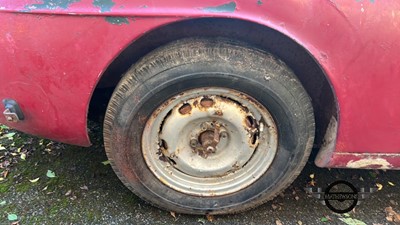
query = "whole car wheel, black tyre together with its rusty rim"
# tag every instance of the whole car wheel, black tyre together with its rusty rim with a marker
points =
(208, 126)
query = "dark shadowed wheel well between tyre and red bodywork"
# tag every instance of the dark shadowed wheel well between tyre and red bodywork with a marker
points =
(295, 56)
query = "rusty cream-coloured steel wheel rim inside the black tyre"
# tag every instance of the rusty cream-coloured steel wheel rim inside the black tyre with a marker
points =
(209, 141)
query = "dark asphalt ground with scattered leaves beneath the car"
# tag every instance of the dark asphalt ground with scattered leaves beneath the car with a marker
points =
(83, 190)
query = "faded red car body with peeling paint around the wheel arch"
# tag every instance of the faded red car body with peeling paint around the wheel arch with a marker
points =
(53, 54)
